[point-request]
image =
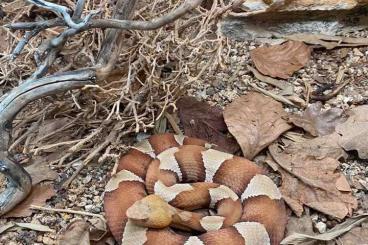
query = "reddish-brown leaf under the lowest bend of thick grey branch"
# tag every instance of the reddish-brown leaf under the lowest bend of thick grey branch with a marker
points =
(38, 196)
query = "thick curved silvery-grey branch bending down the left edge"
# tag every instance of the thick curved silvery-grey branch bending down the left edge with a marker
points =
(19, 181)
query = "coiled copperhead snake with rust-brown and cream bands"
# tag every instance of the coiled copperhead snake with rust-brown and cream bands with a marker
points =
(162, 181)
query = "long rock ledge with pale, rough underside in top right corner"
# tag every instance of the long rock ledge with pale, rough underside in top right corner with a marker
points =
(264, 20)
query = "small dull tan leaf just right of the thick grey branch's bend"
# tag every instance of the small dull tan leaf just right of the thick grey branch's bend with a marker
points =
(40, 171)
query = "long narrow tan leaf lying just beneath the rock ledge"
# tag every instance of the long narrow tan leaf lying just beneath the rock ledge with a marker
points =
(327, 41)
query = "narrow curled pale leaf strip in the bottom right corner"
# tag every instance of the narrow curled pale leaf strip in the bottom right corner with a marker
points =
(338, 230)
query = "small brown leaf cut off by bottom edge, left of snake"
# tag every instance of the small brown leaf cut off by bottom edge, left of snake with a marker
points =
(76, 233)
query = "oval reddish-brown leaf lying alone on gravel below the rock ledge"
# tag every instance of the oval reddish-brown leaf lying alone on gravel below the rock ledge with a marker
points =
(281, 60)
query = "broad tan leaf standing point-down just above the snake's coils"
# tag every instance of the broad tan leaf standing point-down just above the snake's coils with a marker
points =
(255, 121)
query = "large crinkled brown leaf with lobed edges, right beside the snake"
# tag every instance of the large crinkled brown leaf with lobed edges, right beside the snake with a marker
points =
(312, 182)
